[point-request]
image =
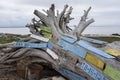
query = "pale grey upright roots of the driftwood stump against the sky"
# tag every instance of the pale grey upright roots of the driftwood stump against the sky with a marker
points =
(59, 23)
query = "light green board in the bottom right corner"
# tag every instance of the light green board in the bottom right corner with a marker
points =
(111, 72)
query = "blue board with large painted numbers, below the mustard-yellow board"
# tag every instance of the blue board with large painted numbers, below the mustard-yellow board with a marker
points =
(92, 72)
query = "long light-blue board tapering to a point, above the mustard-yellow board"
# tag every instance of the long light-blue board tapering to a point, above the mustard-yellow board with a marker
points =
(93, 49)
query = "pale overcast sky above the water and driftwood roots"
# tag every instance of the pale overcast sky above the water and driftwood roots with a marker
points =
(14, 13)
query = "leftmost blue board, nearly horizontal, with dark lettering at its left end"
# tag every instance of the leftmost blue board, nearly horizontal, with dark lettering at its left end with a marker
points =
(30, 45)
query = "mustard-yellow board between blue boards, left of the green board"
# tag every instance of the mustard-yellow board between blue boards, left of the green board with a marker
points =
(95, 61)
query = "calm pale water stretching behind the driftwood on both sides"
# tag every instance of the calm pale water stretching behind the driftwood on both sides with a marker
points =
(88, 30)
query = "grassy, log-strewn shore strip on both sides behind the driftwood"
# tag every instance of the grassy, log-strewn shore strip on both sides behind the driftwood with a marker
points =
(7, 37)
